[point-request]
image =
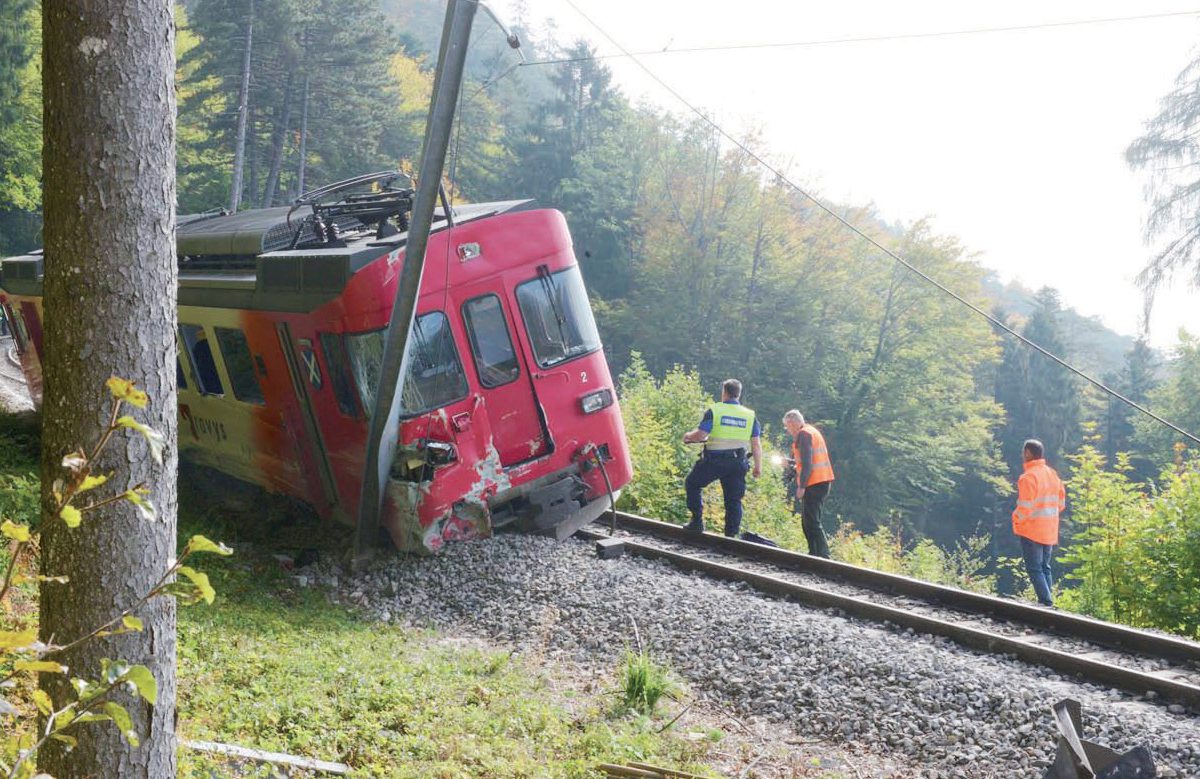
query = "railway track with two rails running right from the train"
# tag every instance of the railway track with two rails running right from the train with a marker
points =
(1083, 649)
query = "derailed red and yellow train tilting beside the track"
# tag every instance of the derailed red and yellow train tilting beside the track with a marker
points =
(511, 415)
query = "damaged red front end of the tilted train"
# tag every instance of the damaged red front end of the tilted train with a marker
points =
(512, 415)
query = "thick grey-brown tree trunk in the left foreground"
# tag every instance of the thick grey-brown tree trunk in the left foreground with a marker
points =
(110, 302)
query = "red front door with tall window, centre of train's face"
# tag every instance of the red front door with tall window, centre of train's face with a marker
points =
(519, 433)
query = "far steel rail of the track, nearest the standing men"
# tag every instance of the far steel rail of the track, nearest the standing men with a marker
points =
(1064, 624)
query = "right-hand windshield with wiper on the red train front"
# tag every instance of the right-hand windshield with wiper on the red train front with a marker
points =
(559, 317)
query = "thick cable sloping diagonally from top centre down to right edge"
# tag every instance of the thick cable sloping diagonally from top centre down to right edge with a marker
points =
(884, 249)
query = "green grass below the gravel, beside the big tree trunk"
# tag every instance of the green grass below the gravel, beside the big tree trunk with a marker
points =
(279, 668)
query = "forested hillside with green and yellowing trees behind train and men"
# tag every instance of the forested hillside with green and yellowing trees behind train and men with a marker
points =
(703, 267)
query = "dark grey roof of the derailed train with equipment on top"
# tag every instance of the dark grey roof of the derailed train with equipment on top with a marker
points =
(268, 259)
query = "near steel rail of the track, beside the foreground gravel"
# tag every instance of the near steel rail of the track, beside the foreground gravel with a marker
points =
(1091, 670)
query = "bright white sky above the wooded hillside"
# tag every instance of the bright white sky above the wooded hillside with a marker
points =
(1011, 141)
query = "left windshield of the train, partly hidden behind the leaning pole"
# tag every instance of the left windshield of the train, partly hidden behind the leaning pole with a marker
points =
(435, 373)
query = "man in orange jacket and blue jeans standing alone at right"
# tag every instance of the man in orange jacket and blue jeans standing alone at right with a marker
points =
(1041, 499)
